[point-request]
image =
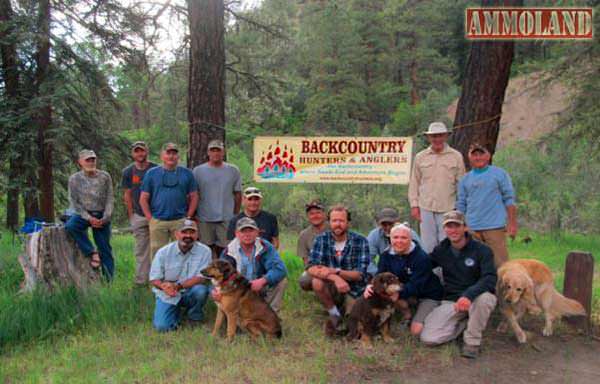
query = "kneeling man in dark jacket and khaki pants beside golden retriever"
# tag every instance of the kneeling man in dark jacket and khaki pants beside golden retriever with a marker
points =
(469, 284)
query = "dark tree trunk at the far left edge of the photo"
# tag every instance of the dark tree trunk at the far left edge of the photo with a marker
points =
(10, 73)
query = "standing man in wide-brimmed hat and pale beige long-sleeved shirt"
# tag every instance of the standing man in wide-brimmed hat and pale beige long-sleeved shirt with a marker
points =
(433, 181)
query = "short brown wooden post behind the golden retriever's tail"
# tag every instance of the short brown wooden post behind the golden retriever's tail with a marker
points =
(579, 276)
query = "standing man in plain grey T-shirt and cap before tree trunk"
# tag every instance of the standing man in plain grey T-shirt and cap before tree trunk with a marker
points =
(220, 186)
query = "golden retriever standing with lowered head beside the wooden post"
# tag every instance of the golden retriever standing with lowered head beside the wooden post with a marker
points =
(526, 285)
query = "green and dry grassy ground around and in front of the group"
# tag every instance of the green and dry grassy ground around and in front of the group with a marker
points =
(106, 335)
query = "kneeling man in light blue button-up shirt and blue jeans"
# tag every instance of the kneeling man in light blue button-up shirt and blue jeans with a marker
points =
(175, 277)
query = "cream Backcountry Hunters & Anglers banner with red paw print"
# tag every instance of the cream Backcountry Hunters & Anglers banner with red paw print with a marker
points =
(364, 160)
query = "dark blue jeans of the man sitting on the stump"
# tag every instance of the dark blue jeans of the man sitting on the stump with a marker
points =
(77, 227)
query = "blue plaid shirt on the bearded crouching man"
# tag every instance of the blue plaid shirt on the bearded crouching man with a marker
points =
(355, 257)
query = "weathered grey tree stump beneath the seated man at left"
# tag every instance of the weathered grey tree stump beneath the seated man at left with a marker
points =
(52, 259)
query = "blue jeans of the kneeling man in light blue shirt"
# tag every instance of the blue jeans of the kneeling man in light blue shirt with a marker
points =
(167, 316)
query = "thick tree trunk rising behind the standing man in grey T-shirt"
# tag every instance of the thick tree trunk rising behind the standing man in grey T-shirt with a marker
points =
(206, 89)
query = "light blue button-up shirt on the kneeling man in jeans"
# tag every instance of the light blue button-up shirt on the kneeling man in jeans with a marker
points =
(170, 264)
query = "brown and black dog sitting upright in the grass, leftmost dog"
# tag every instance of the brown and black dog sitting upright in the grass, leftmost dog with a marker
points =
(240, 304)
